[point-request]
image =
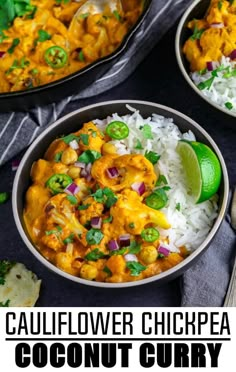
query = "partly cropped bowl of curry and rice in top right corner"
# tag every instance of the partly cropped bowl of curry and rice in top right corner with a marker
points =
(206, 52)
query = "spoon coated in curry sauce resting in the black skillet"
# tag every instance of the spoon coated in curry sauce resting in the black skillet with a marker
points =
(96, 7)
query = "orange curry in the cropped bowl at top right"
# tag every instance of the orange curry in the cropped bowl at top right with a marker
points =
(213, 36)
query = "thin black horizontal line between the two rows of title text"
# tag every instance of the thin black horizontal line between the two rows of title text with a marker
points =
(117, 339)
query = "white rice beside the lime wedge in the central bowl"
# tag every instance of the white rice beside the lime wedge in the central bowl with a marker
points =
(191, 224)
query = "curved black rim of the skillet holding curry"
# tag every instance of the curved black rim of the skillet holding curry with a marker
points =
(110, 57)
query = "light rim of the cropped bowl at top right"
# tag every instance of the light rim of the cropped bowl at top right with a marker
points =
(181, 26)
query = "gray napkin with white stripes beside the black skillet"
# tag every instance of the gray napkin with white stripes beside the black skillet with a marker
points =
(18, 130)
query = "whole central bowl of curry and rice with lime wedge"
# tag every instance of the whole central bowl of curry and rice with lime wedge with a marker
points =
(120, 193)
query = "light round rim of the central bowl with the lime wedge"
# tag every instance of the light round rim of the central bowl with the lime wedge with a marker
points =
(174, 270)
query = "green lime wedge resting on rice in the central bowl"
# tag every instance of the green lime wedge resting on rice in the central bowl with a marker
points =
(202, 169)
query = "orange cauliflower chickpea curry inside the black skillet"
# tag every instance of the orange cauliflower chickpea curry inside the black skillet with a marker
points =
(39, 44)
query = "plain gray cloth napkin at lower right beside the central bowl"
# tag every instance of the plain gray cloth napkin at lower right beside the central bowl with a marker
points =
(206, 283)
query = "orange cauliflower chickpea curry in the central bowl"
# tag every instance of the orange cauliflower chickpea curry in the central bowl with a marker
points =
(96, 214)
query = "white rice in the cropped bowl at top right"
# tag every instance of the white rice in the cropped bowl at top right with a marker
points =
(223, 88)
